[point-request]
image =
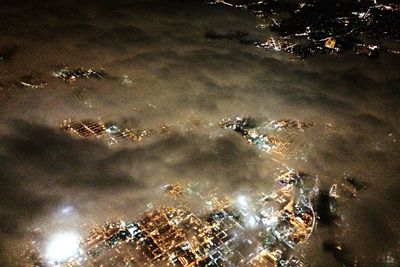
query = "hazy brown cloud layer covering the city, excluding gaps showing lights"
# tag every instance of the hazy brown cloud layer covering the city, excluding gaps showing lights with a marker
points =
(178, 77)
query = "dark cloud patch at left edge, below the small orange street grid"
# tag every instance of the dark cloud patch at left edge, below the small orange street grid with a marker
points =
(42, 152)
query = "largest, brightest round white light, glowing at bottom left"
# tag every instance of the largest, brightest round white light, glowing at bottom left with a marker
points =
(62, 246)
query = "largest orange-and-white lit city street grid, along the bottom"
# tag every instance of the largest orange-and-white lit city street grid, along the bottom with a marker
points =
(257, 230)
